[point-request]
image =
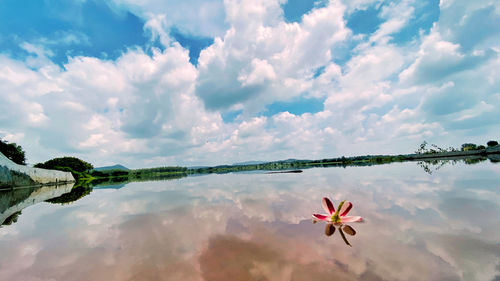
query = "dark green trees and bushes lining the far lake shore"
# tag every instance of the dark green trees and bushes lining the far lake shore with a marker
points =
(85, 174)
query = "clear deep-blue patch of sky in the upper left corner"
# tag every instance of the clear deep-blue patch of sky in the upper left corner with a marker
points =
(69, 28)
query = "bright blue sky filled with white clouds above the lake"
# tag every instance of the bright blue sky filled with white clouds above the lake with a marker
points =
(148, 83)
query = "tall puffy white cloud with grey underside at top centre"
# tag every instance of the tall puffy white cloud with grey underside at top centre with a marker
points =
(258, 36)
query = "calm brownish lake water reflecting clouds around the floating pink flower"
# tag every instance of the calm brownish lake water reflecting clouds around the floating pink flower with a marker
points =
(419, 226)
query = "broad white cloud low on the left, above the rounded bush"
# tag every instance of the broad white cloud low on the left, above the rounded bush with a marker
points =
(102, 108)
